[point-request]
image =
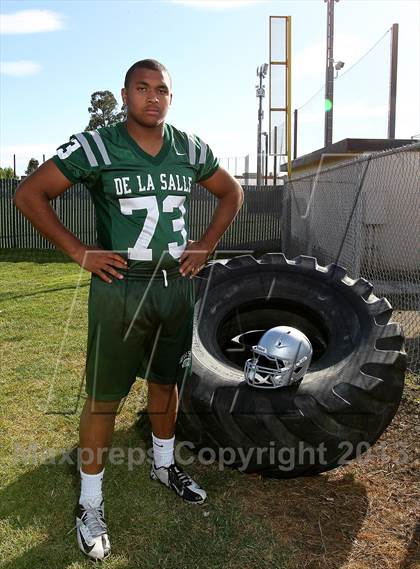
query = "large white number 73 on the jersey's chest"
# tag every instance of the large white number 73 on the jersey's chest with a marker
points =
(141, 251)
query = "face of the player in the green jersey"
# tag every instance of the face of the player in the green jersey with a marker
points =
(148, 97)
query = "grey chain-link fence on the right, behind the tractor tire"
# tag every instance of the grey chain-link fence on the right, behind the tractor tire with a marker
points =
(365, 216)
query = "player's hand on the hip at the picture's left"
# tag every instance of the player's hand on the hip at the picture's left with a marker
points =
(101, 262)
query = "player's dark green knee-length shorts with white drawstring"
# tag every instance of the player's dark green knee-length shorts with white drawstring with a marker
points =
(138, 326)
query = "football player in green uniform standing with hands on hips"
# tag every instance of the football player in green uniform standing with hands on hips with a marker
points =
(140, 175)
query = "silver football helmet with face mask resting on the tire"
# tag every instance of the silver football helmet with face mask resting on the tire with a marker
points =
(281, 358)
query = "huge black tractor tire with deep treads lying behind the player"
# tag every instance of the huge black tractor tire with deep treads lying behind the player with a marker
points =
(338, 410)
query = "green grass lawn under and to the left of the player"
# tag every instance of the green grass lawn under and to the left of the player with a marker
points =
(43, 318)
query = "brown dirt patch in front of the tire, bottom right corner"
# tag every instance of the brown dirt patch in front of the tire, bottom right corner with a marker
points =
(363, 515)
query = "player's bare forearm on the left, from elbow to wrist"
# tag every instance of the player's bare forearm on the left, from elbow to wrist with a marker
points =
(37, 209)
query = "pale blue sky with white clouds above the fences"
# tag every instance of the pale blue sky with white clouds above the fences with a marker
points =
(212, 52)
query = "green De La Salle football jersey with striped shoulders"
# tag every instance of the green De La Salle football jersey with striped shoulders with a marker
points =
(141, 201)
